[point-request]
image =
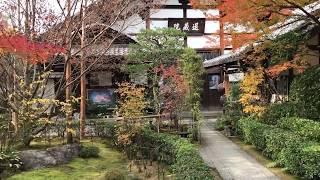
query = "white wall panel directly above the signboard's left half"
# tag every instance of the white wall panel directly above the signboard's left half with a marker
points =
(166, 13)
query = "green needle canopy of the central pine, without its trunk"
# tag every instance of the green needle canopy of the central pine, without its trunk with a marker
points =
(155, 48)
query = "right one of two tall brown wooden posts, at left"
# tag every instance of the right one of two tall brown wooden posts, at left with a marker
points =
(83, 78)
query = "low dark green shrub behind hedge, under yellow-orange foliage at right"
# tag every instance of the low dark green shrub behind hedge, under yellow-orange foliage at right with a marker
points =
(275, 112)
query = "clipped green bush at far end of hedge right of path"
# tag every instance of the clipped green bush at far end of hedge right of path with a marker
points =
(253, 132)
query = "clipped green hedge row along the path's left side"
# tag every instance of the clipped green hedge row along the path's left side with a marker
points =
(180, 154)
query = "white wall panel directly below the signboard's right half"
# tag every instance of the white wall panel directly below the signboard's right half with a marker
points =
(208, 41)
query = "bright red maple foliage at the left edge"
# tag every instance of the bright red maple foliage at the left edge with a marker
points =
(33, 52)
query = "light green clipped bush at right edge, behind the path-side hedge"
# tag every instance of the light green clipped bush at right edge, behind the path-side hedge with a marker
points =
(303, 127)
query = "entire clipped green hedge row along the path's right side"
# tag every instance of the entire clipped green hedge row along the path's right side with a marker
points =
(300, 155)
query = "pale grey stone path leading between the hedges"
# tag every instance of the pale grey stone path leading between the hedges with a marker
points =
(231, 162)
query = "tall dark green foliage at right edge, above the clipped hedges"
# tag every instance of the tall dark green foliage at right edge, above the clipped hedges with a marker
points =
(305, 91)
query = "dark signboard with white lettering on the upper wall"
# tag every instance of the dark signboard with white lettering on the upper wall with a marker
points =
(189, 26)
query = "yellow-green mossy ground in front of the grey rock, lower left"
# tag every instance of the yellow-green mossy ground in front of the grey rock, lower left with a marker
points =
(79, 168)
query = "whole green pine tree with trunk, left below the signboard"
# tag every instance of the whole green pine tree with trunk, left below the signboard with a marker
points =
(155, 48)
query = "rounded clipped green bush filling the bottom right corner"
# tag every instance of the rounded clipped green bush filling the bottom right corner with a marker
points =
(303, 159)
